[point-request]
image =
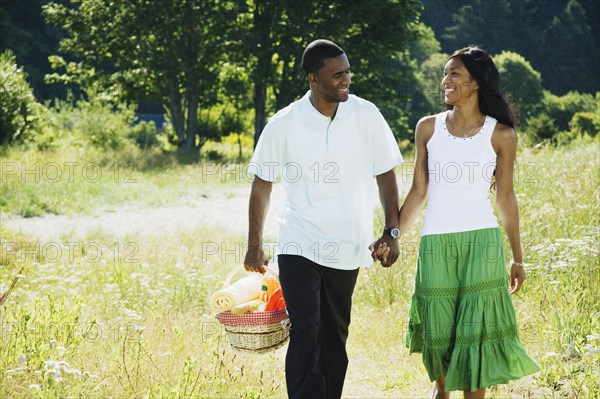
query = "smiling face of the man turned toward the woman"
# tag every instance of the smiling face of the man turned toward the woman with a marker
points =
(332, 82)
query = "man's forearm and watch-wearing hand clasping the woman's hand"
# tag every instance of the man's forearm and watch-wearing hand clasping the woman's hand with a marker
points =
(388, 195)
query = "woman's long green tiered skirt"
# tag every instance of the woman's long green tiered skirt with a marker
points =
(462, 318)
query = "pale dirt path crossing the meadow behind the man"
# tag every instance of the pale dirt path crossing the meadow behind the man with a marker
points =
(230, 212)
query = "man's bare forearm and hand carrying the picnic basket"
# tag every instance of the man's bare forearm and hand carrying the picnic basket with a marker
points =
(255, 259)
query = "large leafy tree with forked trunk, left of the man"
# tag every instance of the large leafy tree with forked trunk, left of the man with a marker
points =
(163, 49)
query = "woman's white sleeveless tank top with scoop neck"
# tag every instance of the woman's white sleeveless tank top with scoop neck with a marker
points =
(460, 175)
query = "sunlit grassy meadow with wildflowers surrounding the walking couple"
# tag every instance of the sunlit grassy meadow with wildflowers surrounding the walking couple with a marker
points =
(100, 316)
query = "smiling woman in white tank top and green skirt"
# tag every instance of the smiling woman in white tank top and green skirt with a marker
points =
(462, 318)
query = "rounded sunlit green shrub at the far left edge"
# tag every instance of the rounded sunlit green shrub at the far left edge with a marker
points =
(19, 112)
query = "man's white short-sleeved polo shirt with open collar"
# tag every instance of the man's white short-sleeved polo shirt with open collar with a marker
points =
(328, 173)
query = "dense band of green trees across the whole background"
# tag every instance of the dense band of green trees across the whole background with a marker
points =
(222, 68)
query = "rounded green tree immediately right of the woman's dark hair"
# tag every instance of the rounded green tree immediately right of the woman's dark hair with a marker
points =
(521, 81)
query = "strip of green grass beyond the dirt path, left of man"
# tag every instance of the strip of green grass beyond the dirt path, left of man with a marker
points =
(88, 181)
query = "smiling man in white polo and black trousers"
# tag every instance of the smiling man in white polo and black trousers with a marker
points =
(327, 147)
